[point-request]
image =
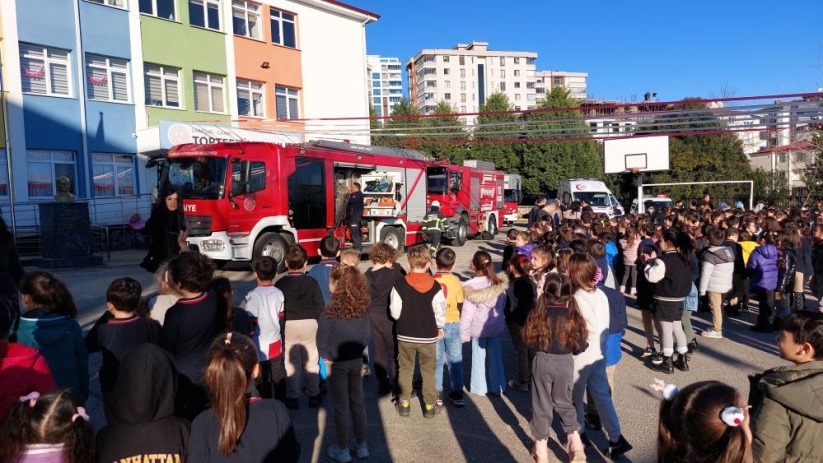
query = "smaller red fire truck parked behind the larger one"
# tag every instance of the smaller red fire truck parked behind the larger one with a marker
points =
(470, 196)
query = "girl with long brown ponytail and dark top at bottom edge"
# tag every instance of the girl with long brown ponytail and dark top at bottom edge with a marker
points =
(239, 426)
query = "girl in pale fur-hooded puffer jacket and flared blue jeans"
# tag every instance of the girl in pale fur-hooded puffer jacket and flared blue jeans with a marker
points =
(482, 321)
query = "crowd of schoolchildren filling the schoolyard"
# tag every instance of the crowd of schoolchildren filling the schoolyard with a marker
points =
(208, 381)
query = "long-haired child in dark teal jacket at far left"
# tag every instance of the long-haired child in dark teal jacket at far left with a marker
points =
(49, 324)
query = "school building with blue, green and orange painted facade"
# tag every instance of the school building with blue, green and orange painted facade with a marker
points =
(95, 86)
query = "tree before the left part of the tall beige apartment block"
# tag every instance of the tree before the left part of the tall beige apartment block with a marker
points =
(446, 136)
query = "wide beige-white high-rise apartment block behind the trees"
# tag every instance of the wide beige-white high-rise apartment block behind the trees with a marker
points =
(465, 75)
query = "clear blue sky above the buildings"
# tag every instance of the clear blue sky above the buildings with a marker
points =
(678, 49)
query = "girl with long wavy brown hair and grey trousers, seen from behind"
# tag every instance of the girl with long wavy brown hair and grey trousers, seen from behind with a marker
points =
(555, 330)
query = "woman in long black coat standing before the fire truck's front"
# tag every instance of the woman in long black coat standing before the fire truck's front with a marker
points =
(167, 229)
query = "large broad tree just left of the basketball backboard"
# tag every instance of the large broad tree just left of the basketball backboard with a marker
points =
(545, 164)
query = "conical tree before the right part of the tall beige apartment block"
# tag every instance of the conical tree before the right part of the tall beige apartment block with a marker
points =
(492, 127)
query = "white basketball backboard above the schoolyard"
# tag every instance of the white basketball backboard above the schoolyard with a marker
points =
(645, 154)
